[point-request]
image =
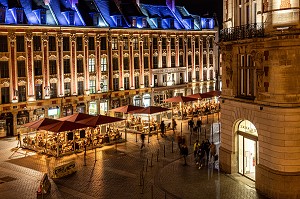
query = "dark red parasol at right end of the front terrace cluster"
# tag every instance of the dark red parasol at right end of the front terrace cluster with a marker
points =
(99, 120)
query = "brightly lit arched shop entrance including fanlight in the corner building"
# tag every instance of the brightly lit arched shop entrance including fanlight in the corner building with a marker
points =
(247, 145)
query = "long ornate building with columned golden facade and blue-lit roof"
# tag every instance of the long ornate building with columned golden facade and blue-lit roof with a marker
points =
(58, 57)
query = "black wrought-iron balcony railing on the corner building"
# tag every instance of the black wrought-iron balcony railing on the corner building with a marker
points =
(242, 32)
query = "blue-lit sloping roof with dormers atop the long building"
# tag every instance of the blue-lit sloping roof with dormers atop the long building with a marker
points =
(103, 13)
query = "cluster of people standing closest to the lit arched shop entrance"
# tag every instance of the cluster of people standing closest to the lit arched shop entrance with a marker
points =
(204, 153)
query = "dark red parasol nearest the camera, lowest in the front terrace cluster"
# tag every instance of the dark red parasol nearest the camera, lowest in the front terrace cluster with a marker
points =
(61, 126)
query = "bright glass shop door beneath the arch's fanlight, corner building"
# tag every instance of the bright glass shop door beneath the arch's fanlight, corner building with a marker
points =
(247, 156)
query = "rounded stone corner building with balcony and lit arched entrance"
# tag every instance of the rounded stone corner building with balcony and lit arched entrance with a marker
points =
(260, 94)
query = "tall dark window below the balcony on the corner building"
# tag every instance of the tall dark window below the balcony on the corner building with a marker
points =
(246, 76)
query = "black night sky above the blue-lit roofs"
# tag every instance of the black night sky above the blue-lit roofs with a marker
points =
(197, 7)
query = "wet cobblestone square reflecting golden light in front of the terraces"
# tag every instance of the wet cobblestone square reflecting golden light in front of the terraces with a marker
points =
(122, 171)
